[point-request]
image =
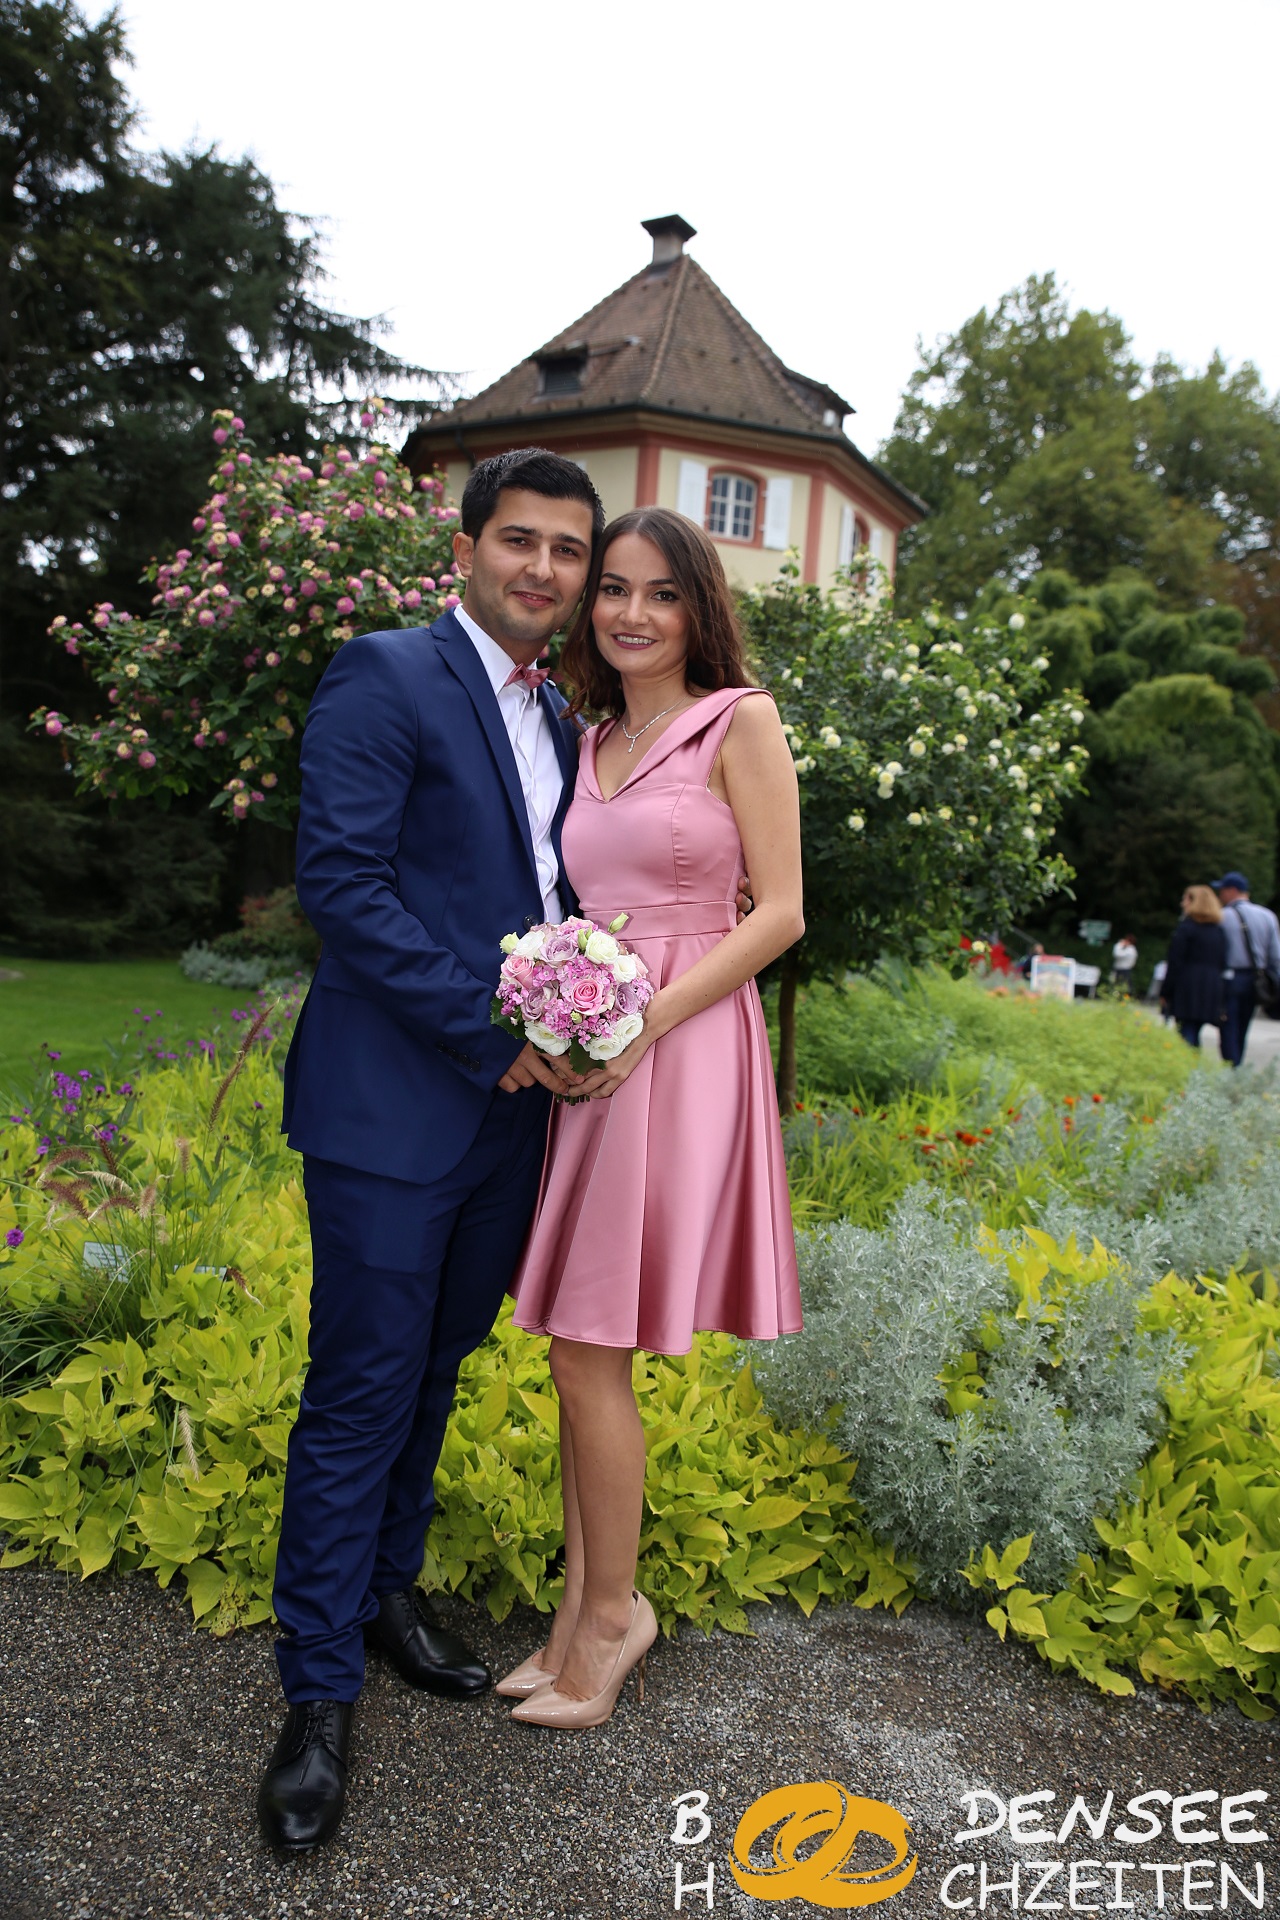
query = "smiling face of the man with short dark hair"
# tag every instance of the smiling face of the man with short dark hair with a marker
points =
(527, 571)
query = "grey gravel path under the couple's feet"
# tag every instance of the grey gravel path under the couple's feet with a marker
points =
(133, 1748)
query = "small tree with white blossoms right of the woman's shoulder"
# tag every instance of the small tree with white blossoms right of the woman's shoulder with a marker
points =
(934, 769)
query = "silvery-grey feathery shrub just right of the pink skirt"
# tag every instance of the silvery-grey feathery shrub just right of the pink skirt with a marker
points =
(984, 1393)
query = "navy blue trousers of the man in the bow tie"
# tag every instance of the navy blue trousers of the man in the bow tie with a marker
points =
(406, 1284)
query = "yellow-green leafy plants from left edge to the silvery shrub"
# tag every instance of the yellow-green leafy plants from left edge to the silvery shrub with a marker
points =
(160, 1439)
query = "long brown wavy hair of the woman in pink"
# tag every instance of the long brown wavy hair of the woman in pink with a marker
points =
(717, 658)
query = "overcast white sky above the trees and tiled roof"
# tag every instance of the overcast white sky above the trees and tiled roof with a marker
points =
(861, 176)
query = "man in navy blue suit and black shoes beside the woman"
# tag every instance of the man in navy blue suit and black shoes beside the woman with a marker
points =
(439, 767)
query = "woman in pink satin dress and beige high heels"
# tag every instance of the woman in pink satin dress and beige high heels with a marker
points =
(665, 1205)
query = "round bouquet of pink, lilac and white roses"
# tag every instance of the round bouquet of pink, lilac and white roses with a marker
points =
(573, 990)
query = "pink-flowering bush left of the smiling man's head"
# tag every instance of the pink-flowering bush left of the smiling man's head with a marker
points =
(287, 564)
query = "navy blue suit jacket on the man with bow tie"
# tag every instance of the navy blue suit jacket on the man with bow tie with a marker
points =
(414, 861)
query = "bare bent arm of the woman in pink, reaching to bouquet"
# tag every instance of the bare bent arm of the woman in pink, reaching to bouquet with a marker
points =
(761, 784)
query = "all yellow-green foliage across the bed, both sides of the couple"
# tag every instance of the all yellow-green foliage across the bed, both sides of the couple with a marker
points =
(151, 1387)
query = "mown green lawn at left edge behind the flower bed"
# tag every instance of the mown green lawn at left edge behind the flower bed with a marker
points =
(85, 1007)
